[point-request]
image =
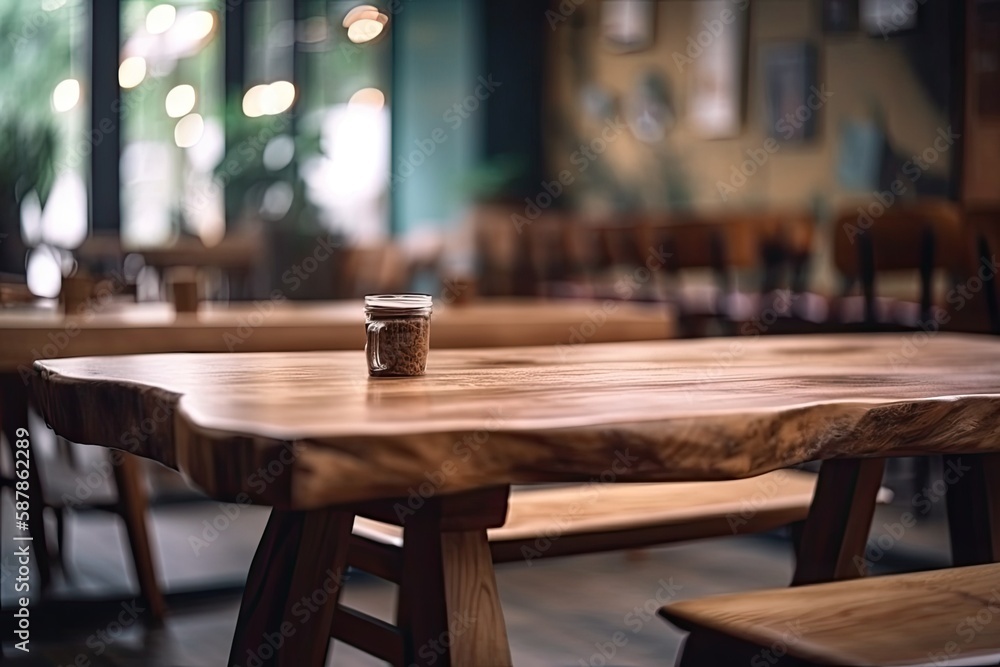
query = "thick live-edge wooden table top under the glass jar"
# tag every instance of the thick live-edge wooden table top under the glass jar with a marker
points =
(304, 430)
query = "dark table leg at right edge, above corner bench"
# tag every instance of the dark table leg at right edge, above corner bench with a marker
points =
(973, 502)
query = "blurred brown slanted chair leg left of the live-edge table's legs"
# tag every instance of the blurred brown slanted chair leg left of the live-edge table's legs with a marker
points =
(133, 505)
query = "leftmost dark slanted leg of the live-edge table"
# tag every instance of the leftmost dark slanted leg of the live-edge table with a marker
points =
(292, 590)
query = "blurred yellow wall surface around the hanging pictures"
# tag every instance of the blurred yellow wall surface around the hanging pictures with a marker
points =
(855, 68)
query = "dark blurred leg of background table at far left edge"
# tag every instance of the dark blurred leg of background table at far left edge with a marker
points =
(14, 415)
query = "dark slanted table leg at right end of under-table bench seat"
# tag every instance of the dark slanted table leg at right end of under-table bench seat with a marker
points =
(835, 533)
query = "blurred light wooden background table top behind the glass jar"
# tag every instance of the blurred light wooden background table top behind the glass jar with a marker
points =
(28, 334)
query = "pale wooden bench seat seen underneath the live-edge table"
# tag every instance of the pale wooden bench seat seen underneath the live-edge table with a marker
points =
(588, 518)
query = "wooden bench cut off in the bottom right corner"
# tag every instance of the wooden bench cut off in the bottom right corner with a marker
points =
(924, 618)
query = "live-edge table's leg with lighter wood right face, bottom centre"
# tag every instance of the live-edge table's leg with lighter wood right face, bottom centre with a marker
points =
(449, 608)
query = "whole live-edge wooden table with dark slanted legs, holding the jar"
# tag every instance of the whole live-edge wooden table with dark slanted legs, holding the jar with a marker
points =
(310, 434)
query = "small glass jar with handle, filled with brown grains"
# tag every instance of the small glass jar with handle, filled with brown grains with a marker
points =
(398, 330)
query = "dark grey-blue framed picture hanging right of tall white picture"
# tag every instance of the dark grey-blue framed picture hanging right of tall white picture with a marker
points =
(791, 95)
